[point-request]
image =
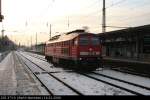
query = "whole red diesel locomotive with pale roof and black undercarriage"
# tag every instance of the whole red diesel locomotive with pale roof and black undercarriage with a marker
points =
(77, 48)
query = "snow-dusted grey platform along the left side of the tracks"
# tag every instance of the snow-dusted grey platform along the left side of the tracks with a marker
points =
(15, 80)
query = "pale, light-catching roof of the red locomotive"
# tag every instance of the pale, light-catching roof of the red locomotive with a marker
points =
(67, 37)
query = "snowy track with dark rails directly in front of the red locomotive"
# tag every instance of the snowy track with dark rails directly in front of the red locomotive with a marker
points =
(137, 90)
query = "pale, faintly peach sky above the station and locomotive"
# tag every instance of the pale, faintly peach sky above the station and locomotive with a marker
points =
(24, 18)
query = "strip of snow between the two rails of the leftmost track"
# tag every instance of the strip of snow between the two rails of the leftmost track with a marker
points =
(47, 80)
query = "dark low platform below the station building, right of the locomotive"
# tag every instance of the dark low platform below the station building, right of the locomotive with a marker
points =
(134, 65)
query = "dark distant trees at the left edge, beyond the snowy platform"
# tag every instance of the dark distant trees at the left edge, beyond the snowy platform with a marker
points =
(6, 44)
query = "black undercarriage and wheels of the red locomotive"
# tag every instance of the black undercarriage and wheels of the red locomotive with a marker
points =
(80, 64)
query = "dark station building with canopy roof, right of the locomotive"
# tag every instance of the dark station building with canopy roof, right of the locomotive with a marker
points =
(133, 43)
